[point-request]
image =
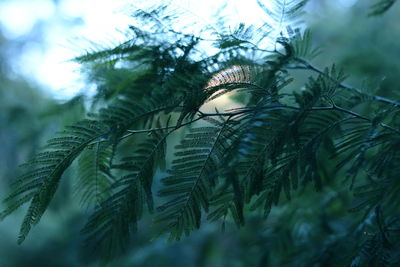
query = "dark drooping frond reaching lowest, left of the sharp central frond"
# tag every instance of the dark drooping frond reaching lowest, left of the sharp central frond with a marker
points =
(109, 229)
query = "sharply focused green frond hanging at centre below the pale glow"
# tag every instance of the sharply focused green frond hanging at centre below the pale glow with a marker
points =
(191, 179)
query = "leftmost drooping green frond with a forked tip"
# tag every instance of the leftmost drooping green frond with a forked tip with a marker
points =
(39, 183)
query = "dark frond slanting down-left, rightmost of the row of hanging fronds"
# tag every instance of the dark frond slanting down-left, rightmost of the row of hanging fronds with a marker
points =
(297, 163)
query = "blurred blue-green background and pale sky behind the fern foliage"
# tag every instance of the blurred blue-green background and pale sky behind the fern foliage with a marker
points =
(42, 89)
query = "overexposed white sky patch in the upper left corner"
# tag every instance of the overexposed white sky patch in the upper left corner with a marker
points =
(53, 67)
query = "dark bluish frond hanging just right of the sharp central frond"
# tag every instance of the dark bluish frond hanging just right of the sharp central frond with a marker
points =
(244, 162)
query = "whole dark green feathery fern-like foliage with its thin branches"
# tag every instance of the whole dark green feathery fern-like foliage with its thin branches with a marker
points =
(152, 146)
